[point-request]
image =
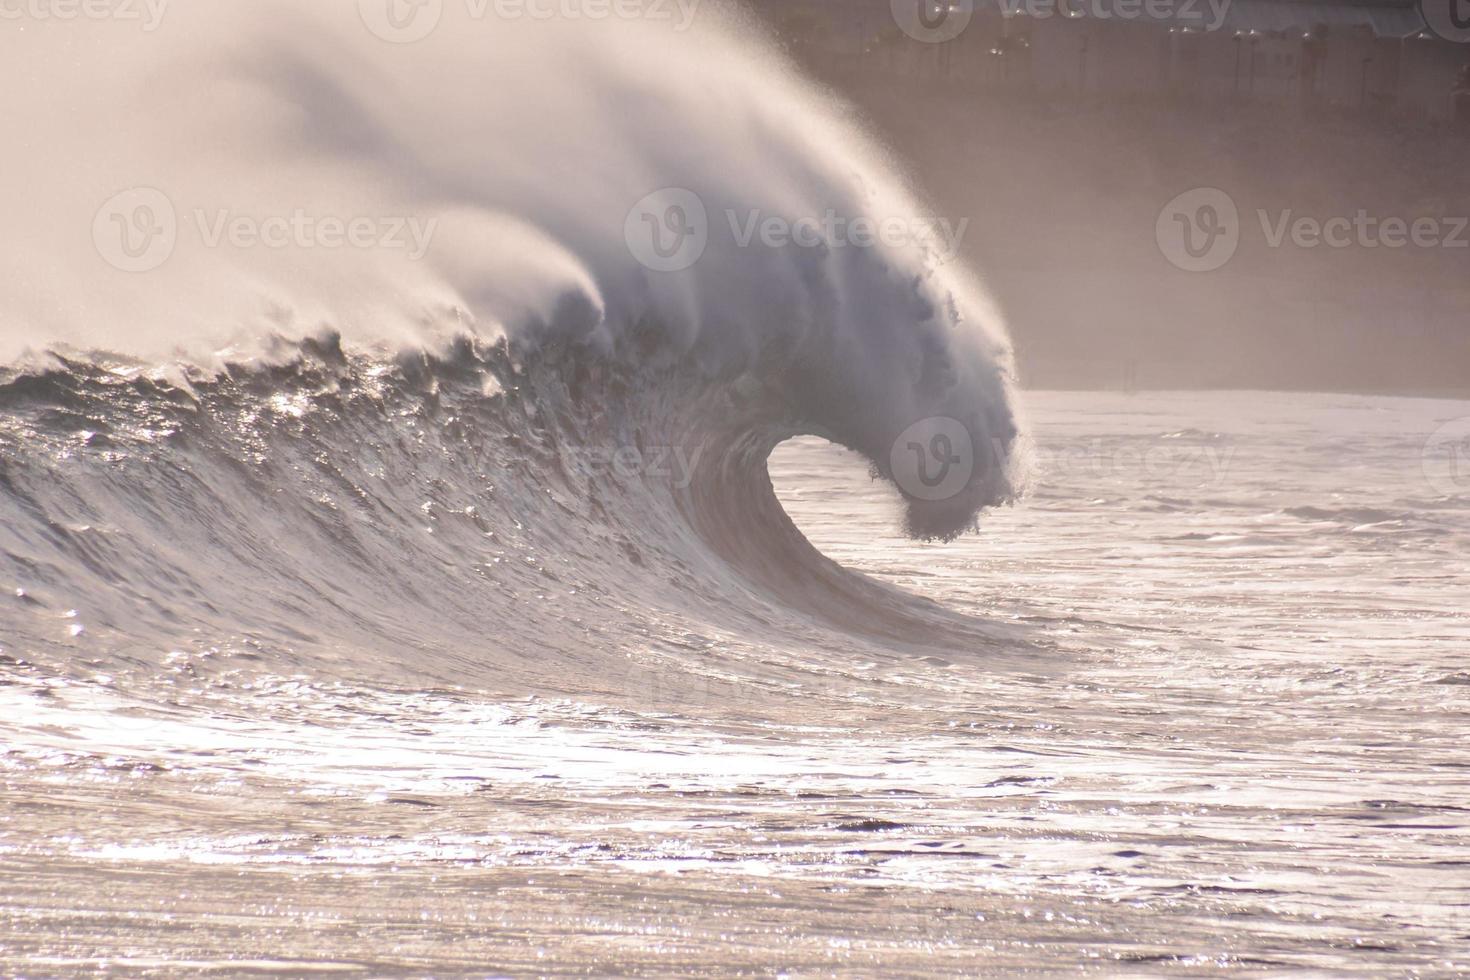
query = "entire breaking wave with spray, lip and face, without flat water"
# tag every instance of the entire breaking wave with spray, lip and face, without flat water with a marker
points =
(530, 434)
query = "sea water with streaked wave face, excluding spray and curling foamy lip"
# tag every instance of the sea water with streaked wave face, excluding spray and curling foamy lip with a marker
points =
(1197, 705)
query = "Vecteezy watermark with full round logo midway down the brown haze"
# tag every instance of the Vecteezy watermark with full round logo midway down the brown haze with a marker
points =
(1202, 230)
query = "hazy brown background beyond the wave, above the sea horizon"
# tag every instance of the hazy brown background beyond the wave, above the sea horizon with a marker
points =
(1065, 179)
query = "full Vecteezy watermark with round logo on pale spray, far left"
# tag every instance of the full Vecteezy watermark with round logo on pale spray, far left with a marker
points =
(139, 230)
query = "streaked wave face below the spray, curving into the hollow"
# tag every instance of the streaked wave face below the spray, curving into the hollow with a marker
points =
(477, 515)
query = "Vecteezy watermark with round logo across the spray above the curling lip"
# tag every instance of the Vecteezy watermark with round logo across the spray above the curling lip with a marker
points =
(670, 231)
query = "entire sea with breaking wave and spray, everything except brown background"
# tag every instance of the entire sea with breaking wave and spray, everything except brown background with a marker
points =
(439, 540)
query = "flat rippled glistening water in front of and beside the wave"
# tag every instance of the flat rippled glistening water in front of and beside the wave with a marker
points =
(1234, 740)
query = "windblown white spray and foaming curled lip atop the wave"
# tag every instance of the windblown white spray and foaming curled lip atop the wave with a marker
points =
(528, 145)
